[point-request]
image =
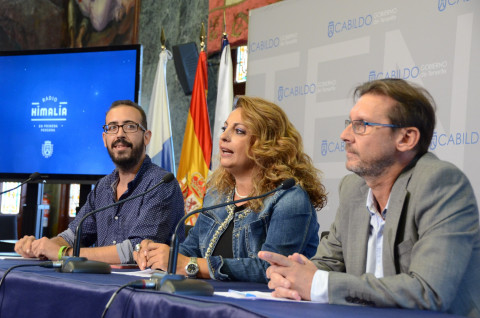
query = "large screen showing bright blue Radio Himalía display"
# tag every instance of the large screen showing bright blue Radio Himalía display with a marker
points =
(53, 106)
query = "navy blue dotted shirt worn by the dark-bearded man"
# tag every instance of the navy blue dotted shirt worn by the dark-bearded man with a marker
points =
(152, 216)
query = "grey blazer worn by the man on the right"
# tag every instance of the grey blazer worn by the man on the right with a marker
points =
(431, 243)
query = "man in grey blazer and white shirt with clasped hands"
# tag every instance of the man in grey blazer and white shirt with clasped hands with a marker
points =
(406, 233)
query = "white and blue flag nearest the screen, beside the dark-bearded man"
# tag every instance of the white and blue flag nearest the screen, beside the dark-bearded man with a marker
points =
(160, 148)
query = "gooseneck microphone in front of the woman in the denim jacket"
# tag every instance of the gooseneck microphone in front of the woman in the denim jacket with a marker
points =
(178, 284)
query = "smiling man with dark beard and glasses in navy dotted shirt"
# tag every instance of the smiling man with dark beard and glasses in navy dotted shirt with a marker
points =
(110, 235)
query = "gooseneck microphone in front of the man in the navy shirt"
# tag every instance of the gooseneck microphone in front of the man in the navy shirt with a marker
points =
(77, 264)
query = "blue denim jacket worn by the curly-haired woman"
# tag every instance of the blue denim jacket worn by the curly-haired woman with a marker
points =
(286, 224)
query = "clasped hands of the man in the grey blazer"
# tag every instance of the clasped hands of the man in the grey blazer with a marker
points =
(291, 276)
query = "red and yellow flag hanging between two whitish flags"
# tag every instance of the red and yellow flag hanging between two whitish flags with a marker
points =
(197, 144)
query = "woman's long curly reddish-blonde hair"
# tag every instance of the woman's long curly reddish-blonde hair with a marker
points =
(276, 148)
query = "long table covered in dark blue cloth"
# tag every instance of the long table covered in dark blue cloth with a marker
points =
(43, 292)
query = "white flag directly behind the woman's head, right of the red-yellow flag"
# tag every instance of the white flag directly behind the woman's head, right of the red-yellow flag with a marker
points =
(224, 97)
